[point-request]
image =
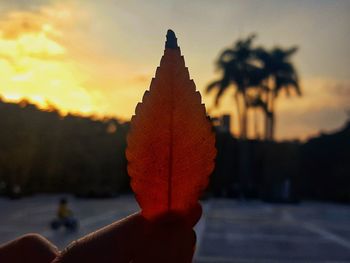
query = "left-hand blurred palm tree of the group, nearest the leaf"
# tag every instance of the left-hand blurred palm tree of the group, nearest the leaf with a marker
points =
(238, 68)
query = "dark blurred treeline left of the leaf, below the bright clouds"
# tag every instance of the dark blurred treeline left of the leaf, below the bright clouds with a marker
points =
(43, 151)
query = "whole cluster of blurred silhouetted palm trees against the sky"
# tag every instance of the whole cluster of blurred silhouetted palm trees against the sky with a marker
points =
(258, 76)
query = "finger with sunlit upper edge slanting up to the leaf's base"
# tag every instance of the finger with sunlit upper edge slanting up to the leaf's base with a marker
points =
(113, 243)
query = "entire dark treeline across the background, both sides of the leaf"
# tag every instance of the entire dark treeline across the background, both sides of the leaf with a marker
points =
(43, 151)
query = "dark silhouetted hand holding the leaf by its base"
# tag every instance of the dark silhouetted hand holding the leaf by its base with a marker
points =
(132, 239)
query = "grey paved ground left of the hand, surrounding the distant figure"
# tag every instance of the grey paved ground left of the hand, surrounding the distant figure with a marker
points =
(33, 214)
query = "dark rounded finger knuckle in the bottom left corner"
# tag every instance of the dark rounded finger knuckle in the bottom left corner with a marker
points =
(30, 247)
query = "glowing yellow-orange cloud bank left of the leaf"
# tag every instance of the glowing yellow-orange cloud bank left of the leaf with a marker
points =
(47, 58)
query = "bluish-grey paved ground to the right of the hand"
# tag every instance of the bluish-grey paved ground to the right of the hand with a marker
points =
(269, 233)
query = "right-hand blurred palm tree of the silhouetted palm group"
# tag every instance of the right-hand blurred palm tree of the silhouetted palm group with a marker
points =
(278, 74)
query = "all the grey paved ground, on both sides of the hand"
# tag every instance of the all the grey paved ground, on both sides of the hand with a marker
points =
(230, 231)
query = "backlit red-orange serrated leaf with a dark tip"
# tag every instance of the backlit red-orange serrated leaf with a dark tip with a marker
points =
(171, 144)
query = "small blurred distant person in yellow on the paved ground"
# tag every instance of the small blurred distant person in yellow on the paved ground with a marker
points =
(64, 217)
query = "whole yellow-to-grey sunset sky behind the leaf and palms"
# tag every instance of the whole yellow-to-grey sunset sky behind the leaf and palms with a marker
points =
(98, 57)
